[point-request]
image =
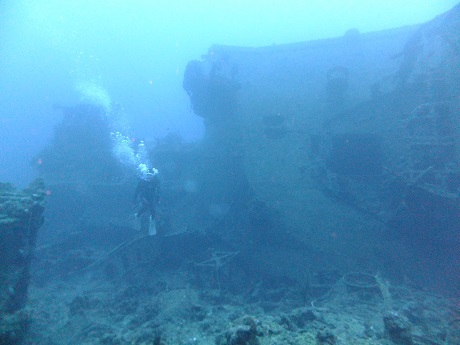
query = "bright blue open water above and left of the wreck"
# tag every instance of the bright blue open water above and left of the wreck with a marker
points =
(134, 54)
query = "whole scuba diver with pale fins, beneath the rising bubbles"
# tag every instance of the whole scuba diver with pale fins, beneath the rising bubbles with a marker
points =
(148, 194)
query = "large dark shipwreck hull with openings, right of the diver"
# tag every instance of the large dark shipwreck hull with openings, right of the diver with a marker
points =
(336, 136)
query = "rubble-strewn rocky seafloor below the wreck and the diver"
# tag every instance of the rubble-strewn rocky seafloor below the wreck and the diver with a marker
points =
(146, 301)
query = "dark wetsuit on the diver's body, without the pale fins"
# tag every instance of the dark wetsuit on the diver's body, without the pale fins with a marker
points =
(148, 192)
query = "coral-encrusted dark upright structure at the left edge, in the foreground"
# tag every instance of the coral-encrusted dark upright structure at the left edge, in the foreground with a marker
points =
(21, 214)
